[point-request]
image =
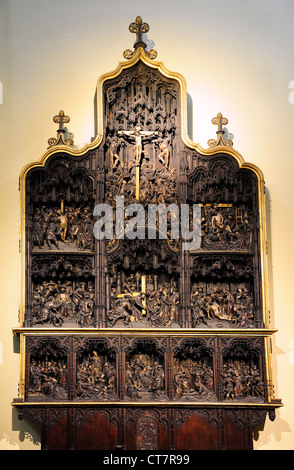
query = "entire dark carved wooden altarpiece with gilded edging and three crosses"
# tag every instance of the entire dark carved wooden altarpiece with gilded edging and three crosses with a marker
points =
(144, 317)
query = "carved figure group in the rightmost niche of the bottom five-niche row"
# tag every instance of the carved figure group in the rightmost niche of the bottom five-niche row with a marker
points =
(241, 380)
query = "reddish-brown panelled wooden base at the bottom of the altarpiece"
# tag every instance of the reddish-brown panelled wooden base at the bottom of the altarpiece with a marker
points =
(145, 428)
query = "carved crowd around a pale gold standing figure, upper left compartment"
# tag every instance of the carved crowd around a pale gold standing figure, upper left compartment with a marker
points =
(54, 228)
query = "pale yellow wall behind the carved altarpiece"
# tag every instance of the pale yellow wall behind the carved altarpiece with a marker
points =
(237, 58)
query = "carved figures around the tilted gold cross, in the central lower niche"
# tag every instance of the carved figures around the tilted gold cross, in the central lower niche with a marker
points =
(157, 305)
